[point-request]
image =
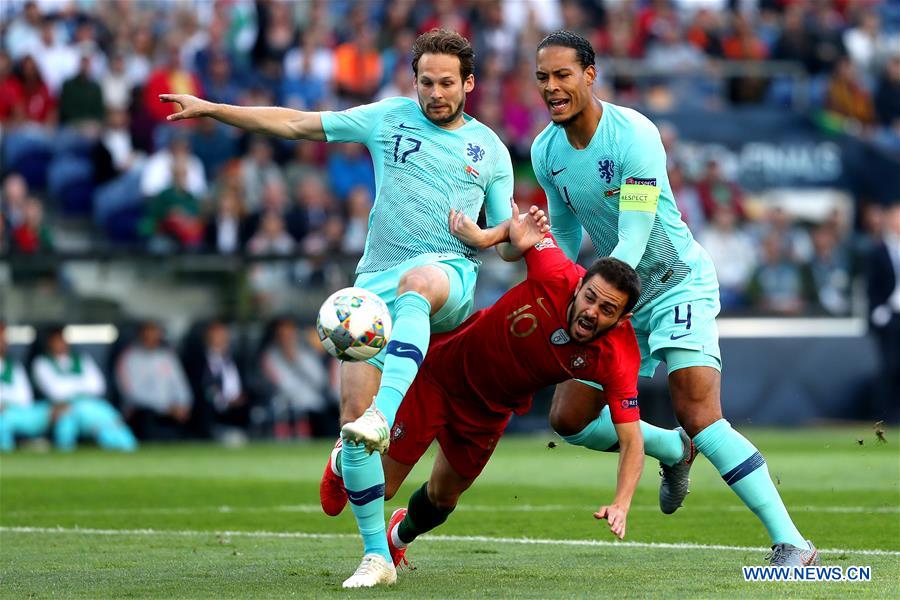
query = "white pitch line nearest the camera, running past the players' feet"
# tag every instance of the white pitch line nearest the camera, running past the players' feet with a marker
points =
(429, 538)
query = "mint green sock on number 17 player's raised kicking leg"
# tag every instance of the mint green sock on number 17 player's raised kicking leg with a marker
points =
(405, 351)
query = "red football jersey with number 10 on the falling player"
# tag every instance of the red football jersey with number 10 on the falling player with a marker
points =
(504, 354)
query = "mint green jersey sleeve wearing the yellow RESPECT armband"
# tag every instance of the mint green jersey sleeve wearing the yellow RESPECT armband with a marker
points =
(642, 174)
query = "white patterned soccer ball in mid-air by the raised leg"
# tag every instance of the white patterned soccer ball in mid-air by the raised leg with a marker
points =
(354, 324)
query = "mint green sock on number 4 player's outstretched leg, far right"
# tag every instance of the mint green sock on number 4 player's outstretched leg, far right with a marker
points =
(744, 469)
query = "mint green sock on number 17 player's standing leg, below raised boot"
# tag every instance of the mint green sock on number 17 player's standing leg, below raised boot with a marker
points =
(364, 481)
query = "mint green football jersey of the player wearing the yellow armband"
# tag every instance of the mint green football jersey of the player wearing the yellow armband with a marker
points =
(622, 169)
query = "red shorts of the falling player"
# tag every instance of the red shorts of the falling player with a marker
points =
(466, 430)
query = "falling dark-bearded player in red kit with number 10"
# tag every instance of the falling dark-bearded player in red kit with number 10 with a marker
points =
(562, 322)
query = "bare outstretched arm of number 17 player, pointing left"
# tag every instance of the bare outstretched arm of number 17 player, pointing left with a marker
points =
(270, 120)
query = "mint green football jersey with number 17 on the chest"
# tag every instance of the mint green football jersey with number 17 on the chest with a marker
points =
(421, 172)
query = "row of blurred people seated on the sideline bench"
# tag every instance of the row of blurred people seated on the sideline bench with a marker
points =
(142, 389)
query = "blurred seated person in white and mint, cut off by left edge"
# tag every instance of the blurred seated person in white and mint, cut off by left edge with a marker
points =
(19, 415)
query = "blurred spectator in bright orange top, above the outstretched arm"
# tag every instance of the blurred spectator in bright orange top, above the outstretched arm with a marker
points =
(357, 67)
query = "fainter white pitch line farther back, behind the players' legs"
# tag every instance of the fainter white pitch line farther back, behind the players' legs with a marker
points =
(315, 508)
